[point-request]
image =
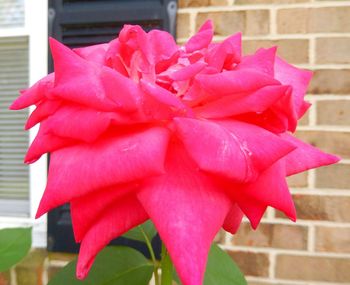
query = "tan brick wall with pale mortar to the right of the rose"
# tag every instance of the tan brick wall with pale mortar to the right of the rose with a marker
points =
(315, 35)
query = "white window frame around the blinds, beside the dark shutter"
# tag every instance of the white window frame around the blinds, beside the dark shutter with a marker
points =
(35, 28)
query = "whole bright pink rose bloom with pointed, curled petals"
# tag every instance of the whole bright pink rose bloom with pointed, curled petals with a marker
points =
(191, 137)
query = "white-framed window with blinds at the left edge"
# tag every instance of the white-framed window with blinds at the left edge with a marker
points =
(23, 60)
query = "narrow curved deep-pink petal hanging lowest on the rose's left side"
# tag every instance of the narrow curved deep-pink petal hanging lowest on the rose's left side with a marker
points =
(115, 221)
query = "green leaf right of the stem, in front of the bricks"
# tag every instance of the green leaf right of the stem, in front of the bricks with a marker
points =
(221, 269)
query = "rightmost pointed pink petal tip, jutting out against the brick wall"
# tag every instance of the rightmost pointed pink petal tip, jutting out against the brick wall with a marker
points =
(305, 156)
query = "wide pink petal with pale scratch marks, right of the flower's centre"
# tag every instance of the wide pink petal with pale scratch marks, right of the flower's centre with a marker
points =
(232, 149)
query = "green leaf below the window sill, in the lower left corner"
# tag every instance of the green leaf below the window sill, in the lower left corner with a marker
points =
(15, 244)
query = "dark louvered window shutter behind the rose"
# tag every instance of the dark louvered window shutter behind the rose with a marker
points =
(79, 23)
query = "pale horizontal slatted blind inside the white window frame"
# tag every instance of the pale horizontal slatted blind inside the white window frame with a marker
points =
(14, 174)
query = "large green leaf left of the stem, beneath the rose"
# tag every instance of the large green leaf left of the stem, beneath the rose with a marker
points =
(115, 265)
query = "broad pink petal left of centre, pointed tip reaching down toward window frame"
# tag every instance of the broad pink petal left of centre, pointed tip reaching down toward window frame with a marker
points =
(84, 168)
